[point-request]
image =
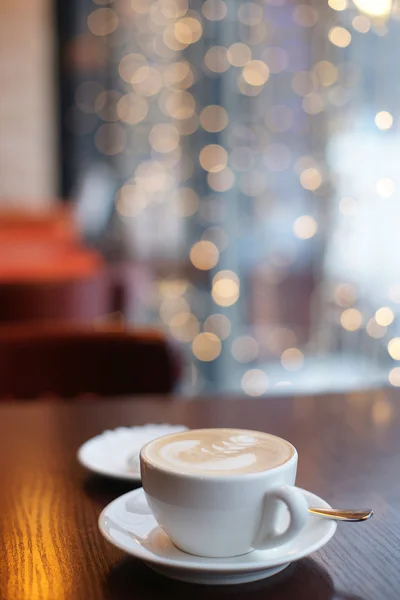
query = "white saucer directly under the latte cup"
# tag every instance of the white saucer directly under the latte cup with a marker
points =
(129, 524)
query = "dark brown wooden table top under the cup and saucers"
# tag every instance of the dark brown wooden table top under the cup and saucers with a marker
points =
(50, 547)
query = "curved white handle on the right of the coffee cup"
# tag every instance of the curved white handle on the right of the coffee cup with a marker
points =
(267, 537)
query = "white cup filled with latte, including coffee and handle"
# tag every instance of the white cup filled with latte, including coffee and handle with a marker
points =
(222, 492)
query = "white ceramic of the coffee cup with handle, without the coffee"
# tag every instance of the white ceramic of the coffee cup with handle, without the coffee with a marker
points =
(220, 515)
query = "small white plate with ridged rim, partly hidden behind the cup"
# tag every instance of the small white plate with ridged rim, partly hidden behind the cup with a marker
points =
(115, 453)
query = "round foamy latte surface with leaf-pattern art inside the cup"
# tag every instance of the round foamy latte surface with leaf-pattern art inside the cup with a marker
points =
(218, 451)
